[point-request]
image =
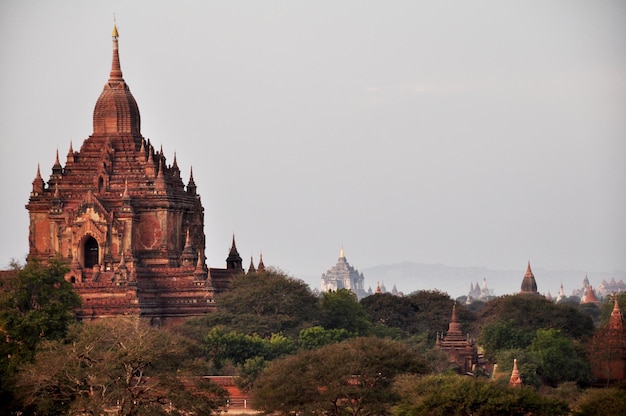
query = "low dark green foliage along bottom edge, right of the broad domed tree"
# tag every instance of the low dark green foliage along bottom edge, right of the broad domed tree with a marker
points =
(460, 396)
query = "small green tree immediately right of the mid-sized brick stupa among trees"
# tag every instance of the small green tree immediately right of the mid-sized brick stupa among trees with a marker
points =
(503, 335)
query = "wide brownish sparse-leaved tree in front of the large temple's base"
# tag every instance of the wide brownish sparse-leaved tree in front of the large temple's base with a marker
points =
(119, 365)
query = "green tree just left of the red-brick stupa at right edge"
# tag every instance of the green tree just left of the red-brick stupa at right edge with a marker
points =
(559, 359)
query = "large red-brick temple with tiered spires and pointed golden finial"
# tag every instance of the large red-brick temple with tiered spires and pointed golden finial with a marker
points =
(130, 229)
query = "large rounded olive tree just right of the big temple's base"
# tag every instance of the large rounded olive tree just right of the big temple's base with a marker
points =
(263, 303)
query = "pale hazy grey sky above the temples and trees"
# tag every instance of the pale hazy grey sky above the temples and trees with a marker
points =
(481, 133)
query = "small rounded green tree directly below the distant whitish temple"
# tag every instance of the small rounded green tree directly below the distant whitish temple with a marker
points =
(341, 310)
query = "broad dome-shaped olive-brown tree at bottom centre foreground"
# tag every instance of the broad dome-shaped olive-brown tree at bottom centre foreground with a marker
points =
(352, 377)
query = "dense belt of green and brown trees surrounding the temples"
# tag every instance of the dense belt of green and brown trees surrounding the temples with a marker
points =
(294, 351)
